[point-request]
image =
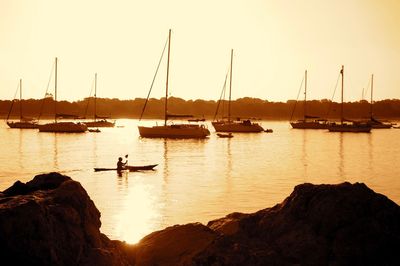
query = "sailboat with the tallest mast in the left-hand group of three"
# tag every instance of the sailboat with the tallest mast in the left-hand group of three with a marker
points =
(65, 127)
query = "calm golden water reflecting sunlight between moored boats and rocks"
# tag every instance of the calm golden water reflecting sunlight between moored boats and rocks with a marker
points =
(199, 180)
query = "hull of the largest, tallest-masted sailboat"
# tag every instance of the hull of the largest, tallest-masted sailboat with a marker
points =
(175, 131)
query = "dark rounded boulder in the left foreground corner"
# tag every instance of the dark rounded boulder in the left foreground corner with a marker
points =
(52, 221)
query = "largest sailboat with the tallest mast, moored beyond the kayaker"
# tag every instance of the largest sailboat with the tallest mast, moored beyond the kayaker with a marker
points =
(174, 130)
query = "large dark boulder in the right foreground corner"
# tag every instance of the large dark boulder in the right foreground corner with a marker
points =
(316, 225)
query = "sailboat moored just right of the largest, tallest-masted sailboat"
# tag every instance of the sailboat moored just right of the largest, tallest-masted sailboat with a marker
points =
(229, 125)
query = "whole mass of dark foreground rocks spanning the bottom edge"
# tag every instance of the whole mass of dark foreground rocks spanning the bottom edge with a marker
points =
(52, 221)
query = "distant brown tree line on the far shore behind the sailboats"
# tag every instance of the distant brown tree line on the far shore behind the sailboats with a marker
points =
(243, 108)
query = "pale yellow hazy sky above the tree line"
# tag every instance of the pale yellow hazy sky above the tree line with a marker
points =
(274, 42)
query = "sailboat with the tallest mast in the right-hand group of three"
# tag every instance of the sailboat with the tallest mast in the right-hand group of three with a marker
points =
(348, 125)
